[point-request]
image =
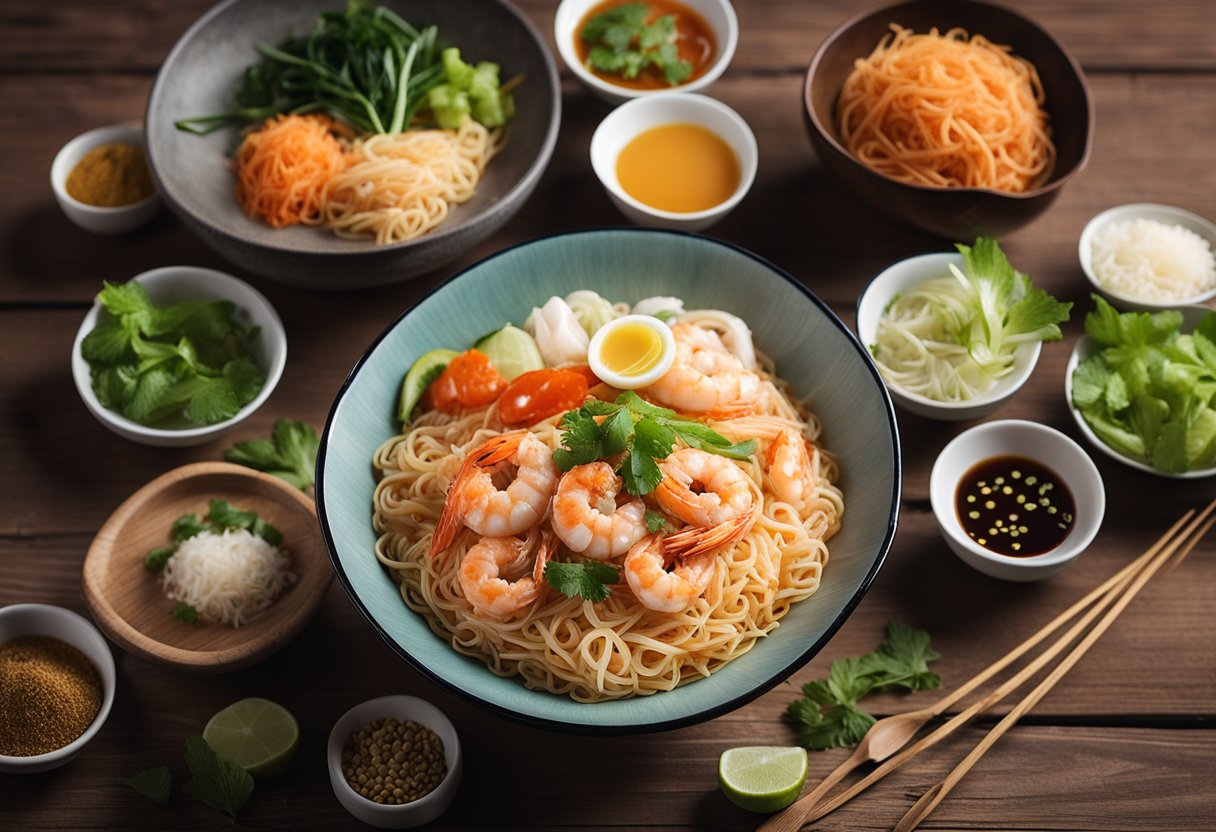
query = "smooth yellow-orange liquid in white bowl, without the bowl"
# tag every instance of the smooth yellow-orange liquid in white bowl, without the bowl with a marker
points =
(683, 168)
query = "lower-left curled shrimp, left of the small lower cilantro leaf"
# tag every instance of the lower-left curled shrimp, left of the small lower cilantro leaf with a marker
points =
(482, 567)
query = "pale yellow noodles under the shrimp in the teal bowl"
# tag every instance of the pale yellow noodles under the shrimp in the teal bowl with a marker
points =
(617, 648)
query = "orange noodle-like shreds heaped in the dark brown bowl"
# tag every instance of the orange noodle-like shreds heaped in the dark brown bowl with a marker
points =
(948, 111)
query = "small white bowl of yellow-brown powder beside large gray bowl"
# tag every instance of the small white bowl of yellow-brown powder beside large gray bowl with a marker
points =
(103, 182)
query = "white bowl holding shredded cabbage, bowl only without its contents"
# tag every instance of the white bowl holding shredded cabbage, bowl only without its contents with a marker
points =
(902, 278)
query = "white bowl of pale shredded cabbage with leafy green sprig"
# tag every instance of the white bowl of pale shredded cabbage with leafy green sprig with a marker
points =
(956, 335)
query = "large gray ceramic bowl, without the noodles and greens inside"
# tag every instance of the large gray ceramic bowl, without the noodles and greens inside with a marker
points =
(201, 74)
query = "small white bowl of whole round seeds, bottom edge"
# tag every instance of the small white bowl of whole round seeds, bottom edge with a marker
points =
(395, 762)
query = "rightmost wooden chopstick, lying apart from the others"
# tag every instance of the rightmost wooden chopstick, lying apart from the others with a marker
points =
(936, 795)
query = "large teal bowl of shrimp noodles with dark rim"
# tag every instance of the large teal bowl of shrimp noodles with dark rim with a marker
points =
(576, 556)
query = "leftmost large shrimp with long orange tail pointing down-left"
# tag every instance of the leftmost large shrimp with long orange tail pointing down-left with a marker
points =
(480, 504)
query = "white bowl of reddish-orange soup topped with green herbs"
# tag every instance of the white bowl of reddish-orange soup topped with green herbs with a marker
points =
(640, 42)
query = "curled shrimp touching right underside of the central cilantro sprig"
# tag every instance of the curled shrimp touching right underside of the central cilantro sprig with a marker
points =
(702, 488)
